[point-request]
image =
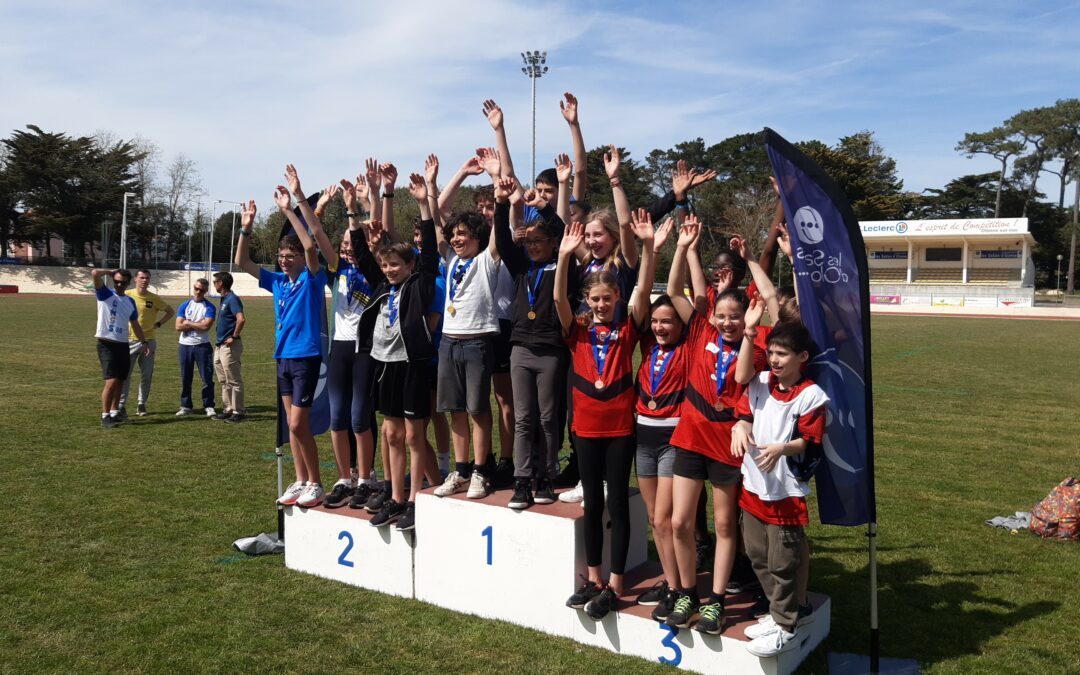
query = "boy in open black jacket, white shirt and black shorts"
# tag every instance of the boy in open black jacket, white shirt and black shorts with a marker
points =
(401, 345)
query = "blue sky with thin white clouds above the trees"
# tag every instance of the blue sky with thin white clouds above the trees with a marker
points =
(244, 88)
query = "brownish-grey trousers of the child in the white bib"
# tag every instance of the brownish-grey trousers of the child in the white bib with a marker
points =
(779, 553)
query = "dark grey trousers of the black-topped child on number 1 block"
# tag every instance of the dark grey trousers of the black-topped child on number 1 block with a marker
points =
(538, 375)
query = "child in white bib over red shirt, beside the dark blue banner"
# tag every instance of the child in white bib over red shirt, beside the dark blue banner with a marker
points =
(781, 421)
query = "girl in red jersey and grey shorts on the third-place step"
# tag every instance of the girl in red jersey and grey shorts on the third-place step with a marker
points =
(661, 386)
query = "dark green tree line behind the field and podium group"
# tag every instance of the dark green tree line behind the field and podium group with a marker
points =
(57, 185)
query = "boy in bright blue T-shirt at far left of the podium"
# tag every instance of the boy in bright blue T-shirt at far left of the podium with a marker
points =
(299, 310)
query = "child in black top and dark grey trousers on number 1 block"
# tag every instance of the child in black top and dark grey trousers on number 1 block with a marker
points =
(539, 357)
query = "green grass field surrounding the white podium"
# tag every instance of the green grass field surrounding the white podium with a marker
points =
(117, 550)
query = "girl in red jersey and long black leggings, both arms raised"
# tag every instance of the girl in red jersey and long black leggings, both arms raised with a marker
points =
(602, 353)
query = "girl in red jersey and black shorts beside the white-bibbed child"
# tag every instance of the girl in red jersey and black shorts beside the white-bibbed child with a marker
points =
(703, 439)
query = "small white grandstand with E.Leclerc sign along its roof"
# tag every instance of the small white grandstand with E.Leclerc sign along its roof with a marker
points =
(962, 263)
